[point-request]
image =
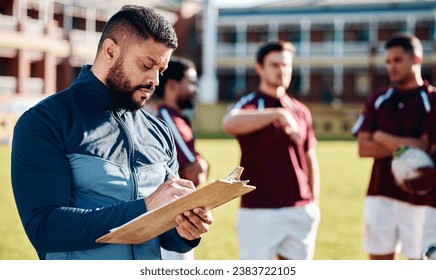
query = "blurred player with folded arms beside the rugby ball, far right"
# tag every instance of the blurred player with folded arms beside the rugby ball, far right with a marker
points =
(394, 116)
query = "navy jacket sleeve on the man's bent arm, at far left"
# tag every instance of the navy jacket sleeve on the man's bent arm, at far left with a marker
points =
(41, 181)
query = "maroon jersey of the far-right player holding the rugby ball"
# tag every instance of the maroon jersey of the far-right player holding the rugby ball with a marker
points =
(402, 113)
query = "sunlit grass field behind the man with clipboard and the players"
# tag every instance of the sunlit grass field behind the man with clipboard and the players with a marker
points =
(344, 178)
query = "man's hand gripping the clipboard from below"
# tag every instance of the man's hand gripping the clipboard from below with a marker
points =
(194, 223)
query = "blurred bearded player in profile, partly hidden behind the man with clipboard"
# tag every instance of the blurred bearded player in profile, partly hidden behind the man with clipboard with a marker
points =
(177, 91)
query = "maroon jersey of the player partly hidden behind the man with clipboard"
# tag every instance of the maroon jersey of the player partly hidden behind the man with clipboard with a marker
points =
(183, 134)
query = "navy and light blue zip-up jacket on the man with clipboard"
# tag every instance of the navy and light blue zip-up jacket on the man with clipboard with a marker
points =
(81, 168)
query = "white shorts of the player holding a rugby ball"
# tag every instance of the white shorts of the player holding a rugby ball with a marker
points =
(392, 226)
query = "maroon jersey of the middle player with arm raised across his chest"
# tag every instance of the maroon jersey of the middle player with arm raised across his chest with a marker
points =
(272, 162)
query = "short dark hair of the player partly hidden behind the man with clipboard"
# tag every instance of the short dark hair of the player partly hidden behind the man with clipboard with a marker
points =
(177, 67)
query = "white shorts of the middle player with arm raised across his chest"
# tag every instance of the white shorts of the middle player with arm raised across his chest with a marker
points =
(289, 232)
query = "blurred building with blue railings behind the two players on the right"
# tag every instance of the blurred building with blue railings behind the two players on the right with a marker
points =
(340, 51)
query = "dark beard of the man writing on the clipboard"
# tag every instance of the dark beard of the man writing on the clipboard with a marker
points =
(121, 89)
